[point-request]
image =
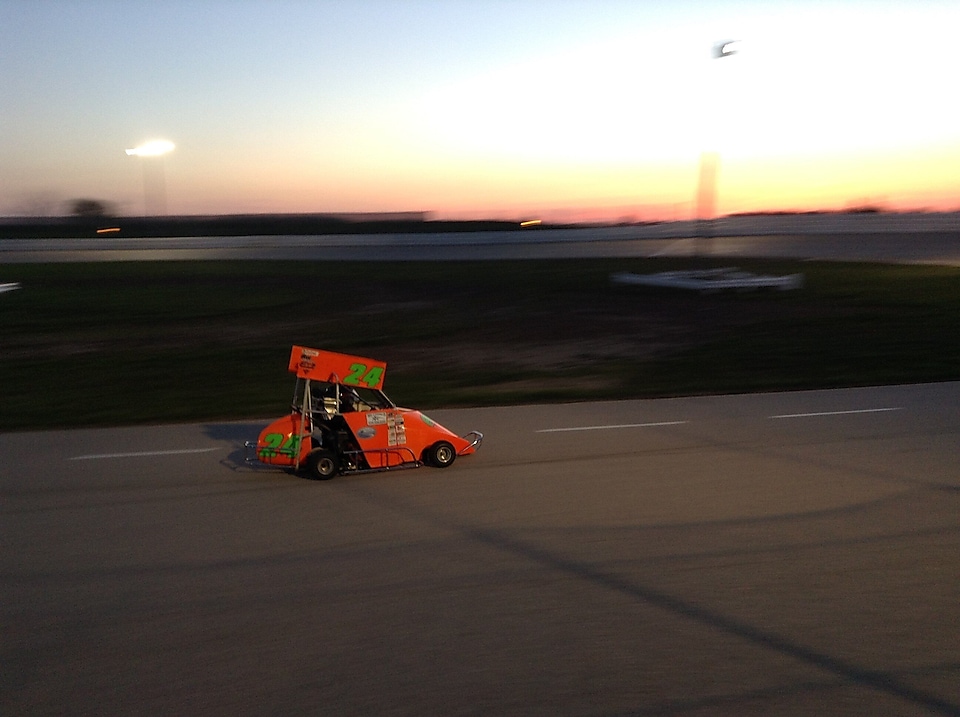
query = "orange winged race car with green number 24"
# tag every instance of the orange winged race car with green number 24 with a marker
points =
(341, 422)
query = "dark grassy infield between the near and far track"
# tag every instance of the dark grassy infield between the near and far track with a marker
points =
(111, 344)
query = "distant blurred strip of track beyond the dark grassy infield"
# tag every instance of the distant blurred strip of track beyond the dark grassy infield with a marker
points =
(906, 239)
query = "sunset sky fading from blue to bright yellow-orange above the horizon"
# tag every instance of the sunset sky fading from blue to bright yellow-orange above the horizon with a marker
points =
(470, 108)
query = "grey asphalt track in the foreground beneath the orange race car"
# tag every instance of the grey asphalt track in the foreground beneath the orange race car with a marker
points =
(787, 554)
